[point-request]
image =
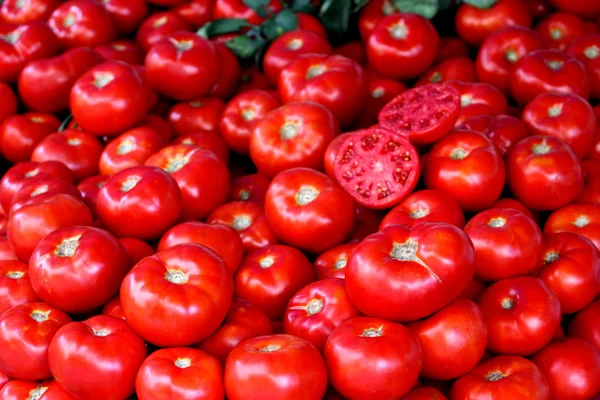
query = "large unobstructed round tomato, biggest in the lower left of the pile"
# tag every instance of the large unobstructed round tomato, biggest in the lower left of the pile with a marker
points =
(198, 285)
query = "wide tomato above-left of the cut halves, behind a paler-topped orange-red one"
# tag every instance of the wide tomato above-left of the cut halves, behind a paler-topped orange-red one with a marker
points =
(333, 81)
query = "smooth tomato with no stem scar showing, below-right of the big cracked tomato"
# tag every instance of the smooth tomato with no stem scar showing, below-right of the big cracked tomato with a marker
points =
(452, 340)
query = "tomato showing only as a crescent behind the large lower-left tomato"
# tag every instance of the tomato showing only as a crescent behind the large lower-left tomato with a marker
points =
(222, 239)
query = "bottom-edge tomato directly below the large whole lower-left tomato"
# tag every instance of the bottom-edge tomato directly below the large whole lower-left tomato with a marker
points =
(180, 372)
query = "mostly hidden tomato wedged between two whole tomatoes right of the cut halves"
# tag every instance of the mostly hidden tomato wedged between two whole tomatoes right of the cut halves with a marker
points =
(502, 130)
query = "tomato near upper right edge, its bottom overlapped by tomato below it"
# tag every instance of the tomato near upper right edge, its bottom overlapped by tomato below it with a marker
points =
(541, 71)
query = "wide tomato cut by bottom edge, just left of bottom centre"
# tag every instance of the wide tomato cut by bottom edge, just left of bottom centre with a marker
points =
(282, 366)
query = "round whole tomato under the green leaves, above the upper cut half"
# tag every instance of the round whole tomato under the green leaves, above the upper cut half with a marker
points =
(402, 46)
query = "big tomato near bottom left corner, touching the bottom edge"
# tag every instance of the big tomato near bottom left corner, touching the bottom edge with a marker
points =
(113, 356)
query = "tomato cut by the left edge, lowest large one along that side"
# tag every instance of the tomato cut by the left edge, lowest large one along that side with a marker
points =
(25, 334)
